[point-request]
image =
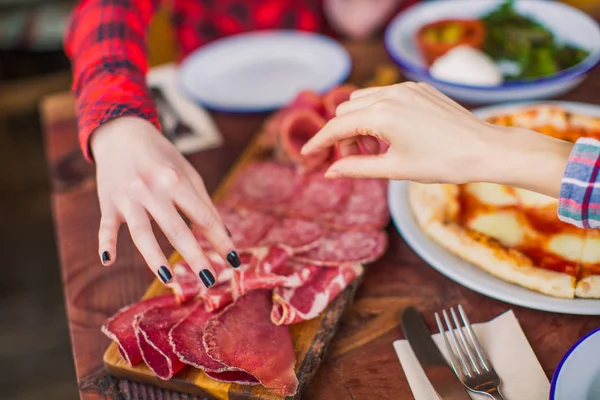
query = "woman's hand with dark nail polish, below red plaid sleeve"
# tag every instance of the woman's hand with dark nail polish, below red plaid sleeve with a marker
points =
(141, 175)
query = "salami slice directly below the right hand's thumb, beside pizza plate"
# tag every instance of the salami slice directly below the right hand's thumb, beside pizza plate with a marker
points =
(366, 208)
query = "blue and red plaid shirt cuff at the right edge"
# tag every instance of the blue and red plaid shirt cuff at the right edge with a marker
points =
(579, 202)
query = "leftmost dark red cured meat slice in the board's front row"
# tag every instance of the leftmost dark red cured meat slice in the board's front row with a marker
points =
(120, 327)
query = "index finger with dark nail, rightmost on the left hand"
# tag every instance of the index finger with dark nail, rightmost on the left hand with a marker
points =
(206, 219)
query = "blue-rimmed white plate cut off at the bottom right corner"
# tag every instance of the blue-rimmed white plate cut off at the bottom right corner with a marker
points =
(578, 373)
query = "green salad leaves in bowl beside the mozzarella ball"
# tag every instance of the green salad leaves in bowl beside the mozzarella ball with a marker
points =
(533, 47)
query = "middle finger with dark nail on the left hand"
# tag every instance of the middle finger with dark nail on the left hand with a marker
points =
(180, 236)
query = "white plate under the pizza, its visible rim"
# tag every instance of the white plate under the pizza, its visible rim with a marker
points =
(467, 274)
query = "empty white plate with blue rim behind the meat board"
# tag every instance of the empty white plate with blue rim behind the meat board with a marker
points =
(262, 71)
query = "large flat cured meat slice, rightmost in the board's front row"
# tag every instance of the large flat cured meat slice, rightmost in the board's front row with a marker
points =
(244, 337)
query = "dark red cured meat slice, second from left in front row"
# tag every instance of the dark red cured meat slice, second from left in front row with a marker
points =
(152, 332)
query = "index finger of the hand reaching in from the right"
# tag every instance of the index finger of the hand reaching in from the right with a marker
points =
(343, 127)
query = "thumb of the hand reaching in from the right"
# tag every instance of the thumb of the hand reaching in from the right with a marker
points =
(377, 166)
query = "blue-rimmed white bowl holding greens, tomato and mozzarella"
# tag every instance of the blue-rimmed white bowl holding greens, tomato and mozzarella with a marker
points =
(569, 25)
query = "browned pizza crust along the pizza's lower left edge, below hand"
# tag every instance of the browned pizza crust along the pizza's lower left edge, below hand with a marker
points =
(432, 203)
